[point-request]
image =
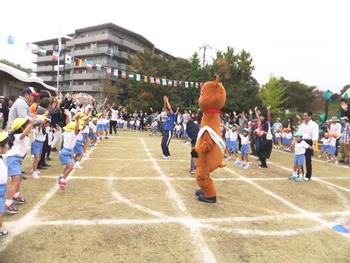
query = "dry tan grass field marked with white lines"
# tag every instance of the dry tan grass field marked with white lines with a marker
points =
(129, 205)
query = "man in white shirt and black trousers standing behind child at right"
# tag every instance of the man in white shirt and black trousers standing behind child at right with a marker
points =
(310, 131)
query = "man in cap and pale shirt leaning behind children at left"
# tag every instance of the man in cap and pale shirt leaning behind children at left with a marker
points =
(20, 108)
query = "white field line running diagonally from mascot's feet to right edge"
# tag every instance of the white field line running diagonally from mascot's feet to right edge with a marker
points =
(306, 214)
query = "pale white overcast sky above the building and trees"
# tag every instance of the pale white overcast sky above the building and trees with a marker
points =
(304, 40)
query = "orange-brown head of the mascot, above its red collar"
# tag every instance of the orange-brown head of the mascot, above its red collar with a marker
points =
(213, 96)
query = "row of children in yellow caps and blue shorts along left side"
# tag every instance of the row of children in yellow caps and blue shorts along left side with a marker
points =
(80, 129)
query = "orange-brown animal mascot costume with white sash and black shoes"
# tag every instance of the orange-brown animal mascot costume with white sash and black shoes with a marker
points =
(209, 149)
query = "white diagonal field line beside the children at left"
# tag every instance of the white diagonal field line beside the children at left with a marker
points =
(29, 219)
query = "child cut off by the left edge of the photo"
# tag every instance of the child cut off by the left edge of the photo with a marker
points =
(4, 147)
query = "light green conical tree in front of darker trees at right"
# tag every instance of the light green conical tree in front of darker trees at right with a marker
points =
(273, 94)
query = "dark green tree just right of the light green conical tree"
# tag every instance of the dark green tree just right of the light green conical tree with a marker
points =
(299, 96)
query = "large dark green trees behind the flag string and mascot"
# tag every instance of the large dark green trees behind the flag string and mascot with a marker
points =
(234, 68)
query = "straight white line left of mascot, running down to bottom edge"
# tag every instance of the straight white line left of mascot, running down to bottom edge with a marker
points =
(198, 240)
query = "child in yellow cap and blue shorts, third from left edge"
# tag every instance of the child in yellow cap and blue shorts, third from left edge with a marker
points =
(37, 144)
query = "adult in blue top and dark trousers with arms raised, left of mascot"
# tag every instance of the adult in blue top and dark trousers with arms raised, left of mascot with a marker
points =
(168, 127)
